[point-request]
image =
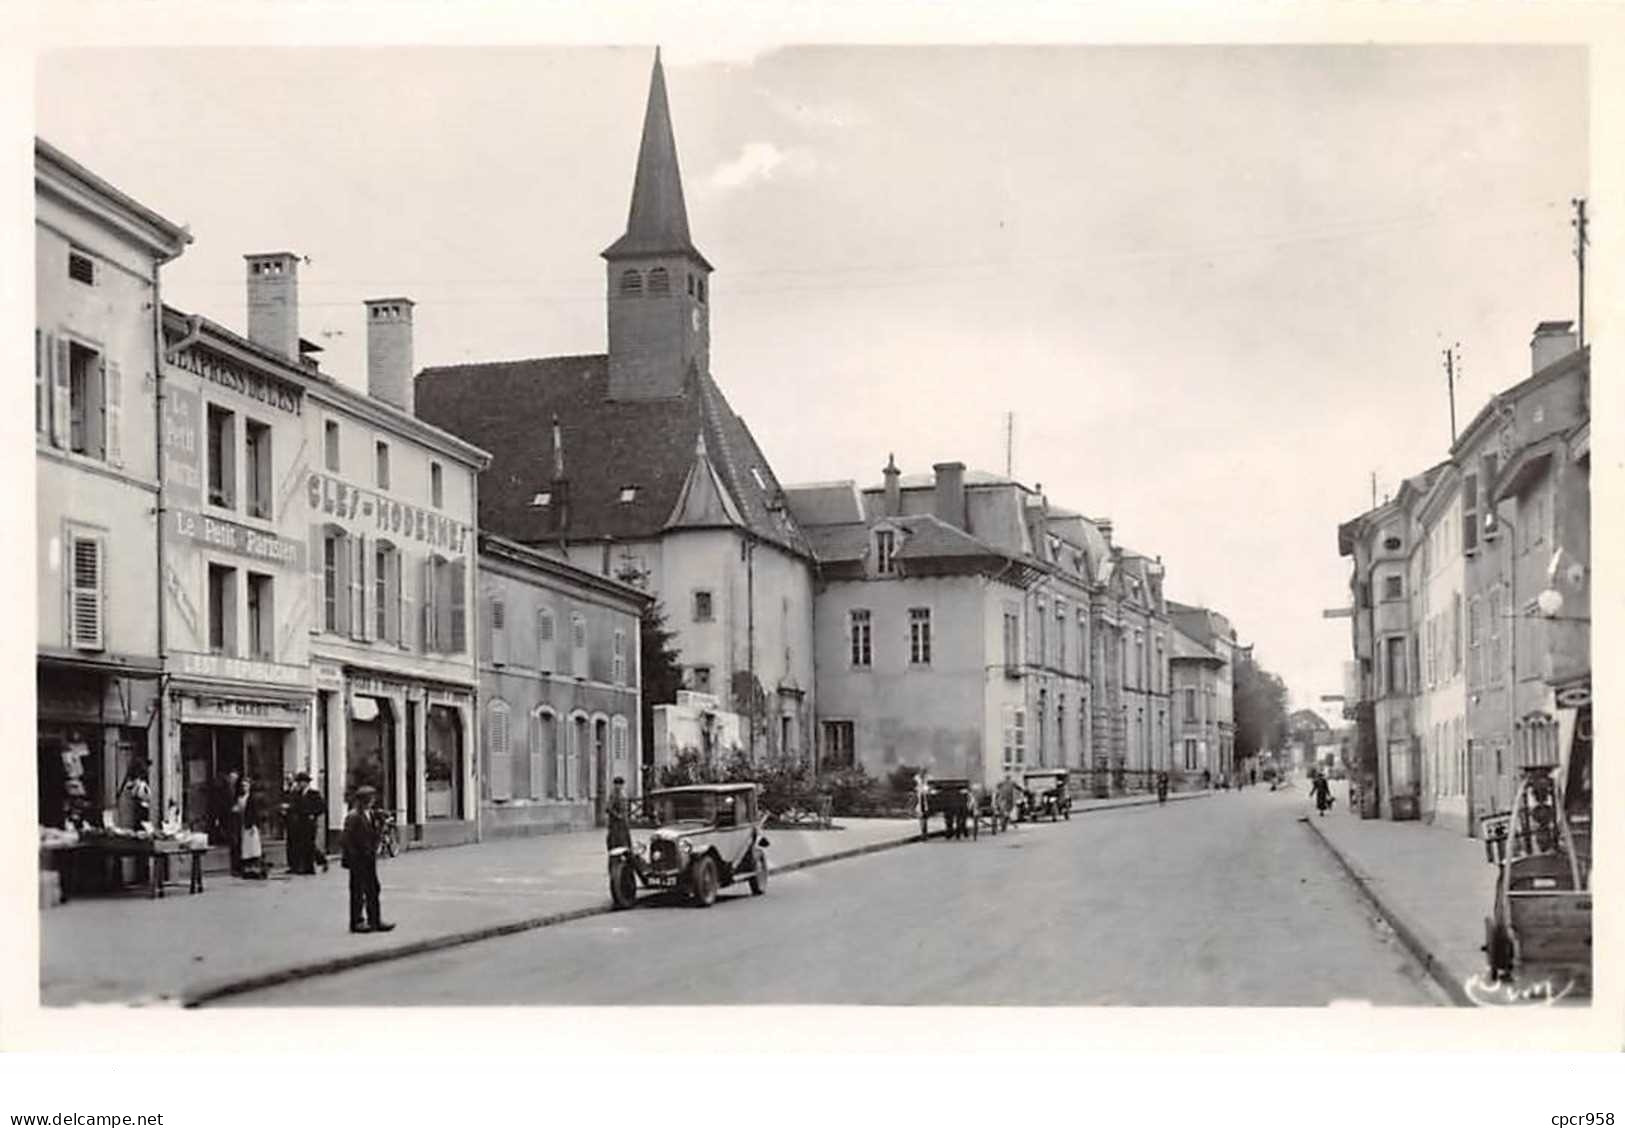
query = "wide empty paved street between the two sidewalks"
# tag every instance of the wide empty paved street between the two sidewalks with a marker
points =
(1231, 903)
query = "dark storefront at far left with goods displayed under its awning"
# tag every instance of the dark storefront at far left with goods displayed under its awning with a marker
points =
(92, 726)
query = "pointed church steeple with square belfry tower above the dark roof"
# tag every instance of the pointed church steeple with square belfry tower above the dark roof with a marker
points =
(659, 280)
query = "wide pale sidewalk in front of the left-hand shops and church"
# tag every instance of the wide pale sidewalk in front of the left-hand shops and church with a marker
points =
(254, 934)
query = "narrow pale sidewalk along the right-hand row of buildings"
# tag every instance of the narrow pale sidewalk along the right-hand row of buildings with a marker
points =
(1432, 885)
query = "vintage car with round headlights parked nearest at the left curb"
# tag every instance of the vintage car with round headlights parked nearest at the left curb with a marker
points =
(706, 838)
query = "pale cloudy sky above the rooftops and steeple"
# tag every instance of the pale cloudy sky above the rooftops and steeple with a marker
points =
(1213, 285)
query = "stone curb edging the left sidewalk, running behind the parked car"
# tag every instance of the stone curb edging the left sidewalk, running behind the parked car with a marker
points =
(295, 973)
